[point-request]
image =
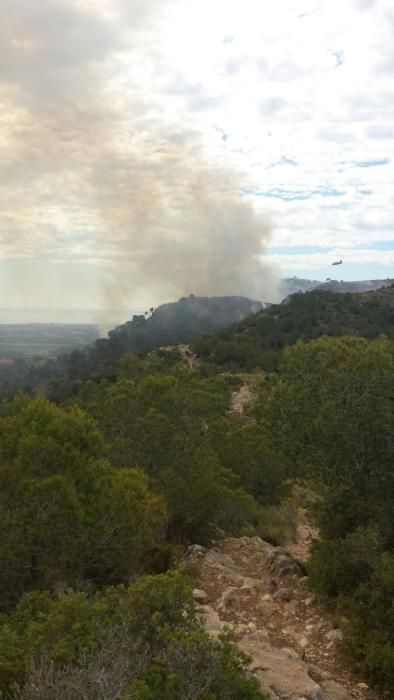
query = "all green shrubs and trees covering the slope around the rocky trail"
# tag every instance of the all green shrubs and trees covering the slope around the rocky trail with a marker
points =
(101, 491)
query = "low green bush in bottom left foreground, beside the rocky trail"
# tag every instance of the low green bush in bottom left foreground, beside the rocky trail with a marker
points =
(140, 642)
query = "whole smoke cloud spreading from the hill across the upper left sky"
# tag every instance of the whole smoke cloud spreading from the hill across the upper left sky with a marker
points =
(98, 176)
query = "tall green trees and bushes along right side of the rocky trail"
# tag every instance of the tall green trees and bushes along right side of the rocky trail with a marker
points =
(331, 412)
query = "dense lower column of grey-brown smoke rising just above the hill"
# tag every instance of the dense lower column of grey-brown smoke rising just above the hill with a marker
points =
(178, 225)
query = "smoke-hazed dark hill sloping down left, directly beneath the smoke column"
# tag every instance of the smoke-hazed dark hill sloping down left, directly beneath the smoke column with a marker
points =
(167, 325)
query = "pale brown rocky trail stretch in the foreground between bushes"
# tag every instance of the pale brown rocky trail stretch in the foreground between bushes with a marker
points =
(261, 592)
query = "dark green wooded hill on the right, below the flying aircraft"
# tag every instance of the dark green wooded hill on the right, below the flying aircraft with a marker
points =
(258, 341)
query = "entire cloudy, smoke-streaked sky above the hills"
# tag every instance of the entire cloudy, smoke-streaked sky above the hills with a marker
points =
(153, 148)
